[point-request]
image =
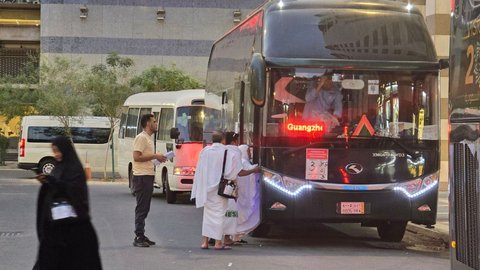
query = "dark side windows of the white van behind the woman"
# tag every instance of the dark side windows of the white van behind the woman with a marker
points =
(80, 134)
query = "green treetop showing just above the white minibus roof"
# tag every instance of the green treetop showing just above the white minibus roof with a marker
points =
(160, 78)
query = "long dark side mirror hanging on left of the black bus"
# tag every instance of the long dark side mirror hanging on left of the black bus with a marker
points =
(258, 79)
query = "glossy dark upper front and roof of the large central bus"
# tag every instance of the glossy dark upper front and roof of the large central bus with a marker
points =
(307, 32)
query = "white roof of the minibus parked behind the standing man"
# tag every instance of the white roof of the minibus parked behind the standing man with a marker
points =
(173, 98)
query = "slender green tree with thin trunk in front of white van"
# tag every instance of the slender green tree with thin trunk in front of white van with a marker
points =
(108, 87)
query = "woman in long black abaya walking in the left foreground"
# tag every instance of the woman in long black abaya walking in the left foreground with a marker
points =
(69, 243)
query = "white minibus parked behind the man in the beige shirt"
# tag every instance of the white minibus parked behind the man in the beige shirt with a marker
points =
(180, 116)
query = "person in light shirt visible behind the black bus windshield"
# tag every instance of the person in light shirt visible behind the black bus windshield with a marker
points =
(323, 101)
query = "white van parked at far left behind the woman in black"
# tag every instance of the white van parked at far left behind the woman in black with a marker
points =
(89, 134)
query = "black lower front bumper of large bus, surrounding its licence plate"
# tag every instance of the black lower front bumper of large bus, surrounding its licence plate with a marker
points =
(324, 206)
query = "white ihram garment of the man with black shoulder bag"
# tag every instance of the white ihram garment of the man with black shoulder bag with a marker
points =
(205, 187)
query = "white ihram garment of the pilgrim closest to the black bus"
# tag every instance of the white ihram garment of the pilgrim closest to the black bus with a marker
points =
(248, 202)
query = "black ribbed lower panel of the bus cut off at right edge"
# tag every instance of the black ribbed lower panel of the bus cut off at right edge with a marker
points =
(466, 207)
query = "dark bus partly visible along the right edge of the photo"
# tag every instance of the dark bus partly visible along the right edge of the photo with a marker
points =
(464, 147)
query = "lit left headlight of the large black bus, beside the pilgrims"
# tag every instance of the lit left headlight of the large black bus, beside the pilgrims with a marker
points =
(287, 185)
